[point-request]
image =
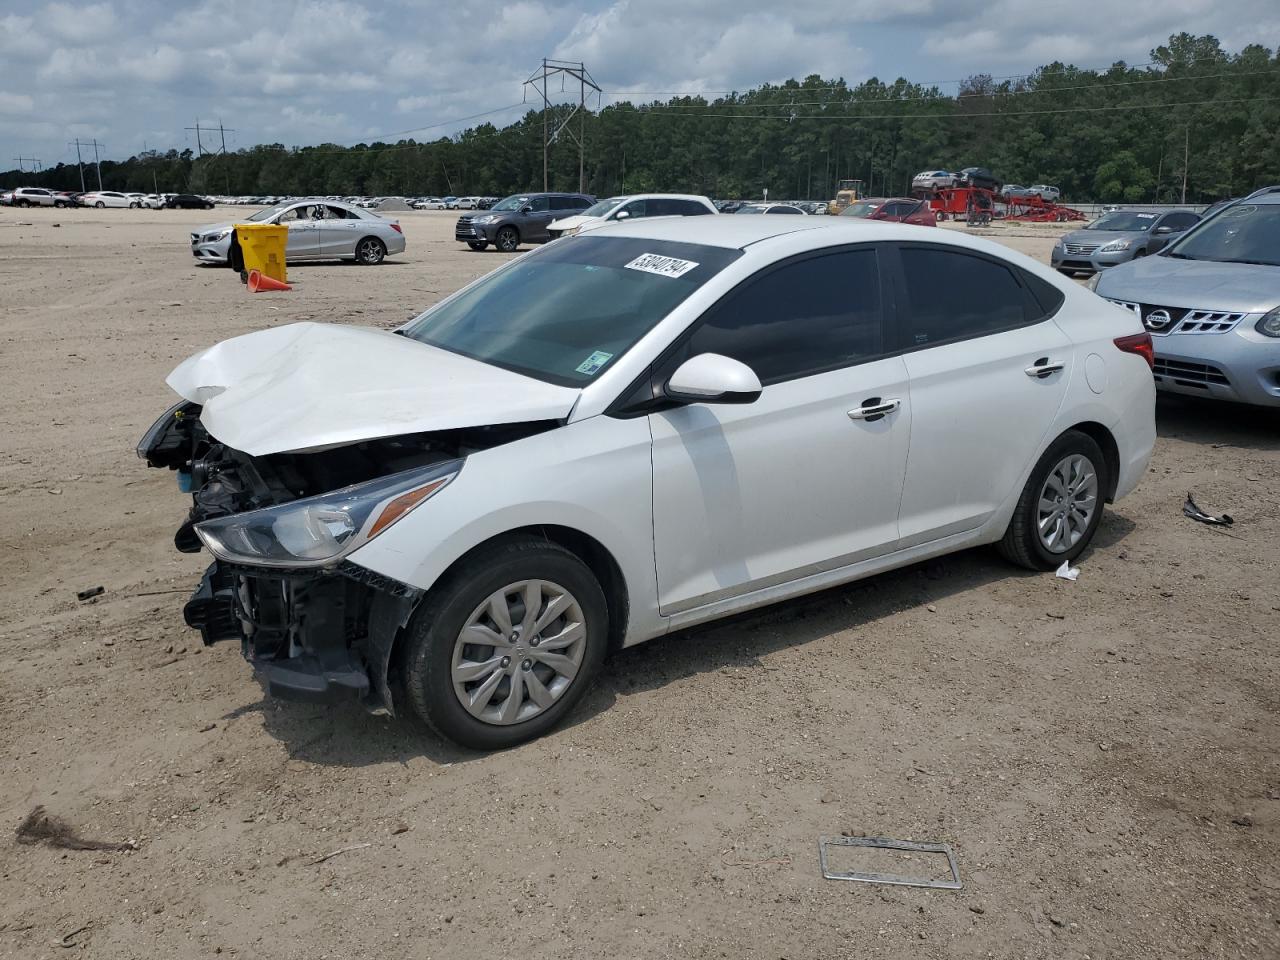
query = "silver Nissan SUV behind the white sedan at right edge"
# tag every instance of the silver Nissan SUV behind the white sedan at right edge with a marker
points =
(1212, 303)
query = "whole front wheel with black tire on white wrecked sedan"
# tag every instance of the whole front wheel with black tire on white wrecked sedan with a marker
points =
(506, 644)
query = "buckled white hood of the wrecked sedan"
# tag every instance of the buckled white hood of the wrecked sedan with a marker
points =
(314, 386)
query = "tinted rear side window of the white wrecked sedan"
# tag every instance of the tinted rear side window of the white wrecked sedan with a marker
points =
(957, 296)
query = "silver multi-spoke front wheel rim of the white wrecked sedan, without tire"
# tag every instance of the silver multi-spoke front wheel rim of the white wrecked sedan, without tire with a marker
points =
(519, 652)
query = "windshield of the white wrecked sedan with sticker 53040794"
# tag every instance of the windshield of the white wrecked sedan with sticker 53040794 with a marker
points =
(566, 313)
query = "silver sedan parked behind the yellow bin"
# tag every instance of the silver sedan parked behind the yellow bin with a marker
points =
(319, 230)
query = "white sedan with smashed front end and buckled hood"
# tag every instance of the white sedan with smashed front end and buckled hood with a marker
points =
(630, 432)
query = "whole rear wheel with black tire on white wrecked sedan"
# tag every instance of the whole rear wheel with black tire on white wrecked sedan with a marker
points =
(1060, 506)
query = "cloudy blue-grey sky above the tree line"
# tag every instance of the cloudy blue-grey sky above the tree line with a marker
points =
(134, 72)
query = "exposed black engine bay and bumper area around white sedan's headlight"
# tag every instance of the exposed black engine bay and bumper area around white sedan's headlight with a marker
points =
(314, 634)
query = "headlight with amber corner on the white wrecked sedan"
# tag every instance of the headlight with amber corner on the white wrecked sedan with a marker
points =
(319, 531)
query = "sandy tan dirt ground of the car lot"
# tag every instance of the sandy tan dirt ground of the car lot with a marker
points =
(1103, 756)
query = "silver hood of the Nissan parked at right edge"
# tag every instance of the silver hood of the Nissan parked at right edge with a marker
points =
(1194, 285)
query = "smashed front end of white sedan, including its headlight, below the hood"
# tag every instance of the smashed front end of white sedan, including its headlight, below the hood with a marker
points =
(316, 625)
